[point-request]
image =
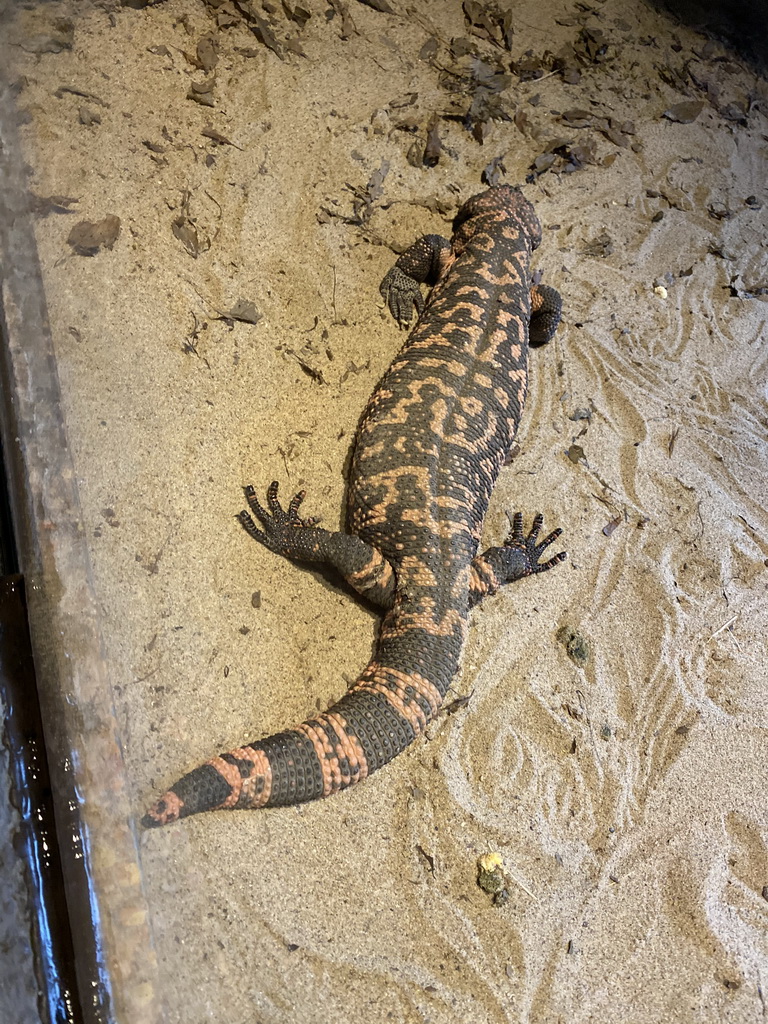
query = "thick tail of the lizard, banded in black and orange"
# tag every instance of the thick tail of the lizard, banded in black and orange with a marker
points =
(377, 719)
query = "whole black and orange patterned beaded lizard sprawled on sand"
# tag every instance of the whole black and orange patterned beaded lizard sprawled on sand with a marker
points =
(428, 454)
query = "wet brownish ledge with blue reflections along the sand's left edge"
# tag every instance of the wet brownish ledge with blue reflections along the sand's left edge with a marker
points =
(114, 958)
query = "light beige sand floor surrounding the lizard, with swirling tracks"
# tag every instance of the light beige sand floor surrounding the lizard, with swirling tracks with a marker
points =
(628, 798)
